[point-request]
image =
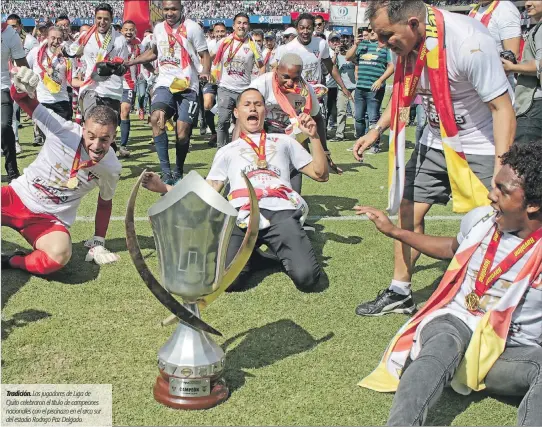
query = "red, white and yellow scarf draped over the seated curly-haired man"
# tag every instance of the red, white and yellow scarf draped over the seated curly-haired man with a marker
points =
(488, 340)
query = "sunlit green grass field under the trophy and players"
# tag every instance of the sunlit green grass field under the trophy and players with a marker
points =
(293, 358)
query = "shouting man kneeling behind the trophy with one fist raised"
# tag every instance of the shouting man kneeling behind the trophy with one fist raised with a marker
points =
(267, 159)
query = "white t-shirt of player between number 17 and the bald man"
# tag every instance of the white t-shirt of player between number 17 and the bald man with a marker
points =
(236, 75)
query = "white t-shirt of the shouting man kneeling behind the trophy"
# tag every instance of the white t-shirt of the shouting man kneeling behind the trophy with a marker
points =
(282, 154)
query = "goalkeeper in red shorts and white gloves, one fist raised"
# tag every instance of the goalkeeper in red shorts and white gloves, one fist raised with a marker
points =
(42, 203)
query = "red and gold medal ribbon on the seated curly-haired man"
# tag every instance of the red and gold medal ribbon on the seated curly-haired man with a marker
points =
(486, 278)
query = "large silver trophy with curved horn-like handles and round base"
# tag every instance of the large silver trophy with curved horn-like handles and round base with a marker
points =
(192, 226)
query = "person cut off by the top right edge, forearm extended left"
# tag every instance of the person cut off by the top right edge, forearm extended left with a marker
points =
(528, 91)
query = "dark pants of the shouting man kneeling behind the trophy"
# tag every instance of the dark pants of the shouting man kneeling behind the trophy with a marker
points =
(287, 239)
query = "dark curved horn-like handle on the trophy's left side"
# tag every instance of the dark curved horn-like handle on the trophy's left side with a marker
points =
(184, 315)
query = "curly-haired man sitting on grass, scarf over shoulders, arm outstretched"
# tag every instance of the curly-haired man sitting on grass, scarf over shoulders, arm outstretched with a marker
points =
(482, 327)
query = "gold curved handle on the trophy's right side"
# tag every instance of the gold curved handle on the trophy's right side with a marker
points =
(244, 252)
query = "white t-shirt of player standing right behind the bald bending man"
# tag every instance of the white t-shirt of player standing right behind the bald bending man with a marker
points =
(311, 54)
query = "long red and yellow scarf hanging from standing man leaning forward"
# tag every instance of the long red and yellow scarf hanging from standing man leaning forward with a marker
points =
(468, 191)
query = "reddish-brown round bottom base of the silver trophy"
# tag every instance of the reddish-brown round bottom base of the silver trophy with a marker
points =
(219, 393)
